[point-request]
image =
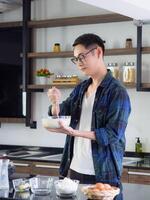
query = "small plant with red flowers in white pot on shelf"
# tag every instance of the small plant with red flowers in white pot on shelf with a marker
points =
(43, 75)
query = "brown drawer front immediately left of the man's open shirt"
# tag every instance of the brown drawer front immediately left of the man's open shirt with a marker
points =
(49, 169)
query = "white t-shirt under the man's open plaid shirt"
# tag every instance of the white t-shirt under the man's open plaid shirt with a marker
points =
(82, 161)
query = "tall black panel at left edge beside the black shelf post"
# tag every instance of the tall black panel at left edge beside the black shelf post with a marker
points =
(10, 73)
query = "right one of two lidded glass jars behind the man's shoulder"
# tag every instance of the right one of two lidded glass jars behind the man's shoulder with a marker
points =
(129, 72)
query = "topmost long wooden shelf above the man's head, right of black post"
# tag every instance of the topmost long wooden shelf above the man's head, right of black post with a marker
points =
(94, 19)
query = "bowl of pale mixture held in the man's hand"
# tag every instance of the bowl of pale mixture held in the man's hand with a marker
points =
(53, 121)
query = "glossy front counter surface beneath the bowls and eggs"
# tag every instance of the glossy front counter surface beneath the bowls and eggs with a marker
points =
(130, 192)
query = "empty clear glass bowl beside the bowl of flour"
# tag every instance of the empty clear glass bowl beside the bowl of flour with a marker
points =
(41, 185)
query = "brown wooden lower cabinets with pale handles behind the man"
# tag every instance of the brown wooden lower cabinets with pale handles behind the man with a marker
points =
(51, 168)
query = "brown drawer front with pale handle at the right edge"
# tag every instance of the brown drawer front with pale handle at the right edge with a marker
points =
(139, 176)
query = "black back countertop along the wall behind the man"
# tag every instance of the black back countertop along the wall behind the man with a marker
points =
(52, 154)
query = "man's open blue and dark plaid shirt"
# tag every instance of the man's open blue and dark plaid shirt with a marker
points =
(110, 114)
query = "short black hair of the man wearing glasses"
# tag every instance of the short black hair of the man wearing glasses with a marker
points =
(89, 39)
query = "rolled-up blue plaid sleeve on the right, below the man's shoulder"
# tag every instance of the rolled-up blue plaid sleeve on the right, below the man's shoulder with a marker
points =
(116, 119)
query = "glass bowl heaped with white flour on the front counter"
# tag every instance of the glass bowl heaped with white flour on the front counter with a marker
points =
(66, 187)
